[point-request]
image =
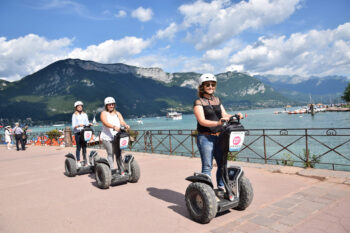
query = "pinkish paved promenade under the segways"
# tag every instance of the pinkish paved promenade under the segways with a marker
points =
(36, 196)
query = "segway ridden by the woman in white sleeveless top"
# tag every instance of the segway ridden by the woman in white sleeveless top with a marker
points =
(128, 169)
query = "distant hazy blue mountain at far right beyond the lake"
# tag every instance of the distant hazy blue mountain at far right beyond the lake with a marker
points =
(319, 89)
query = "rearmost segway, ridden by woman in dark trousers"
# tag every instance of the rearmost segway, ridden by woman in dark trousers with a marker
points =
(70, 164)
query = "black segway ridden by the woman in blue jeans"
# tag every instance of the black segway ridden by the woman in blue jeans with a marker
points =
(202, 200)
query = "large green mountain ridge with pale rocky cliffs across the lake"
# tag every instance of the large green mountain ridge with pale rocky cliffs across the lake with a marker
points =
(49, 94)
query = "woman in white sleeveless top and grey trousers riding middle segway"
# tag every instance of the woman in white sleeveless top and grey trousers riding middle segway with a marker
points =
(112, 120)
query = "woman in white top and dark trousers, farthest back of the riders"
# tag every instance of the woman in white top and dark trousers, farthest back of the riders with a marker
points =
(79, 120)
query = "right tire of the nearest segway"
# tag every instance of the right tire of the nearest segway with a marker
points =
(246, 193)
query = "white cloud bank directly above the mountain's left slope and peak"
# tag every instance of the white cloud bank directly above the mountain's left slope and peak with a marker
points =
(26, 55)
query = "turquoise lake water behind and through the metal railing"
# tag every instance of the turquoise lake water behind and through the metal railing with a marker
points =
(328, 148)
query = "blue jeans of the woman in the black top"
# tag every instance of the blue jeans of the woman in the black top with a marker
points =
(209, 148)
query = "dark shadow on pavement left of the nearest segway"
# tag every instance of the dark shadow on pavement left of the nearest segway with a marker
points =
(172, 197)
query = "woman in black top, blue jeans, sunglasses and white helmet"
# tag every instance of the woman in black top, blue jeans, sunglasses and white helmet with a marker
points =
(210, 114)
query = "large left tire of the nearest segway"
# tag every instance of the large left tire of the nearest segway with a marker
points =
(201, 202)
